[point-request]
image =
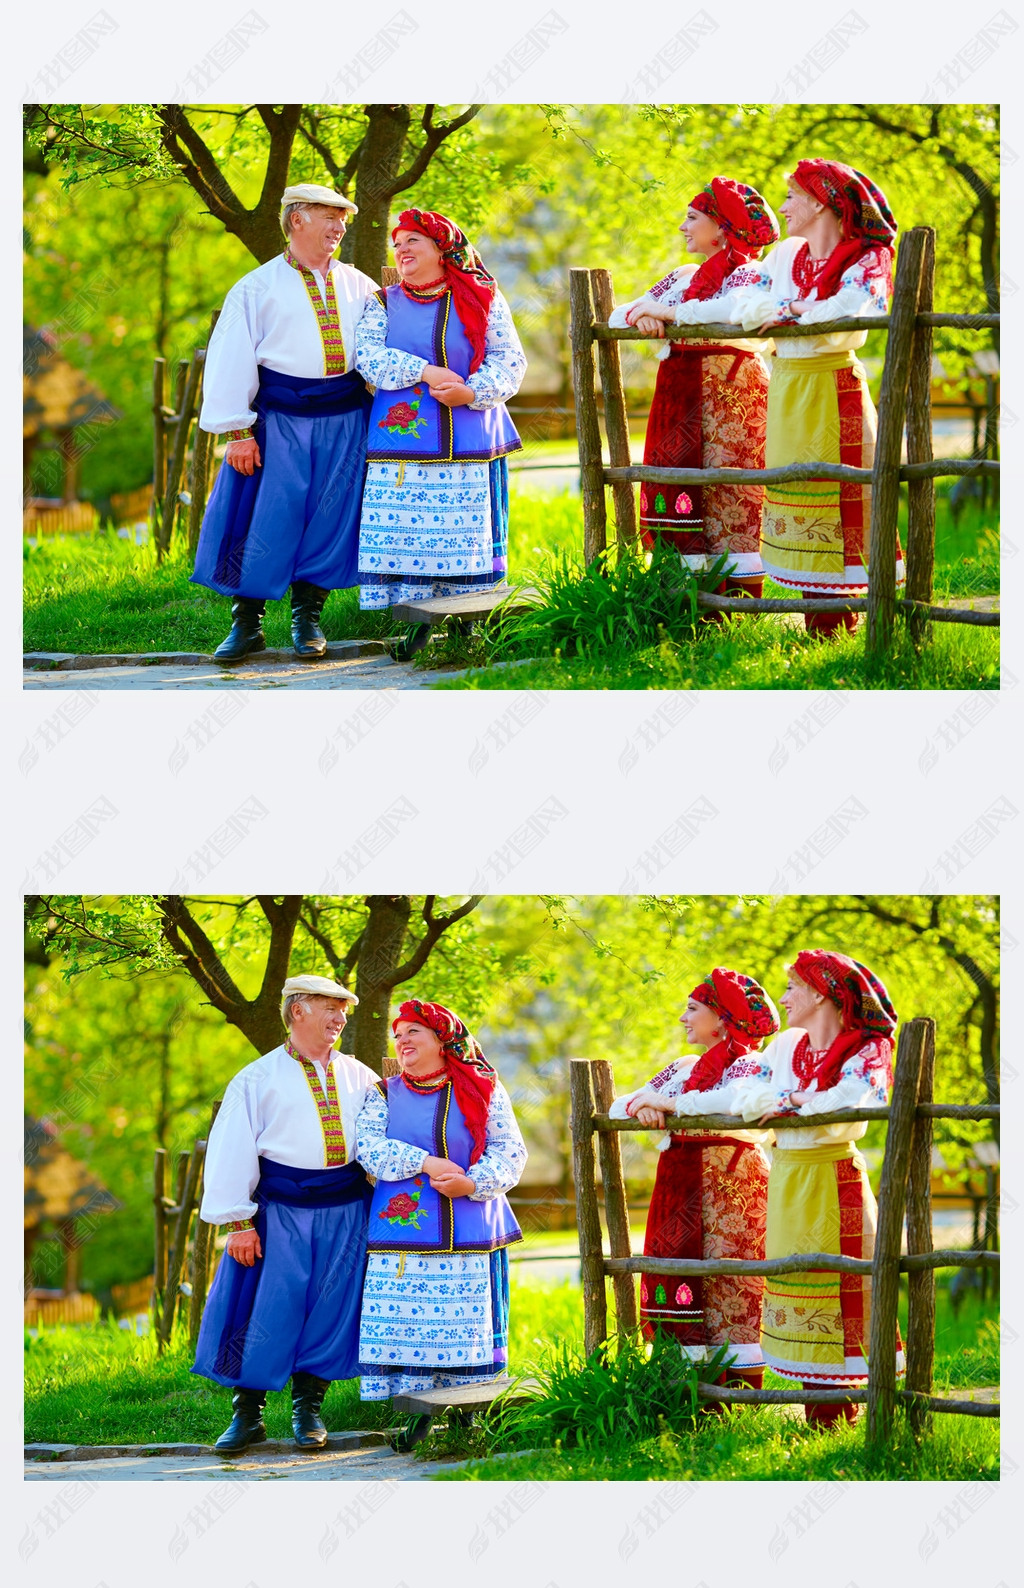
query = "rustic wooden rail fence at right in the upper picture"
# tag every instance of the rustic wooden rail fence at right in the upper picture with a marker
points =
(904, 401)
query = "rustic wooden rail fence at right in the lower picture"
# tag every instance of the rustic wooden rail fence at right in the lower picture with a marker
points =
(904, 1192)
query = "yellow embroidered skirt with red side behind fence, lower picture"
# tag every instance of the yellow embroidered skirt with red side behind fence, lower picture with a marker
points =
(817, 1325)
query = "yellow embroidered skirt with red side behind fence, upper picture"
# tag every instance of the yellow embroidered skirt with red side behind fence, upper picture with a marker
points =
(815, 533)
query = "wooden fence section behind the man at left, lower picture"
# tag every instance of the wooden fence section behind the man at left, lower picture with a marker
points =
(182, 1246)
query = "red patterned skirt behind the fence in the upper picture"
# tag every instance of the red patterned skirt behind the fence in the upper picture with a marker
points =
(709, 412)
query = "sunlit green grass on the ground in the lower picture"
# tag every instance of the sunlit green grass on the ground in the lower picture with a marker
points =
(104, 1386)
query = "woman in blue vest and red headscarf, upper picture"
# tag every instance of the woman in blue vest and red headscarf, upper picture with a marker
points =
(444, 355)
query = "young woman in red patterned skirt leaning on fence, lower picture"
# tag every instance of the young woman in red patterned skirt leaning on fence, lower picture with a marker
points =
(712, 1187)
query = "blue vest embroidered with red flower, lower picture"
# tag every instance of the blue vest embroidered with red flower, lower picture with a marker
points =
(409, 1216)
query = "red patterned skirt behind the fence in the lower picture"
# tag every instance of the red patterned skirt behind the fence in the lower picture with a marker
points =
(710, 1201)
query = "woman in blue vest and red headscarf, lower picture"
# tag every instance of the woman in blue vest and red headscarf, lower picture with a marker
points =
(444, 1146)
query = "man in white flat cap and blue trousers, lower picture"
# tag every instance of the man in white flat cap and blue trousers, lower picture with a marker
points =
(283, 1179)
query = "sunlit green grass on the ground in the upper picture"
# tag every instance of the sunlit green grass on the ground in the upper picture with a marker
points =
(98, 593)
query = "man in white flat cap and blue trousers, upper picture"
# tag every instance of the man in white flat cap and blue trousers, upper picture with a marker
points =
(280, 387)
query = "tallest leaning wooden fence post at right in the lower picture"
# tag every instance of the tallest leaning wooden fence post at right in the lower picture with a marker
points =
(890, 1233)
